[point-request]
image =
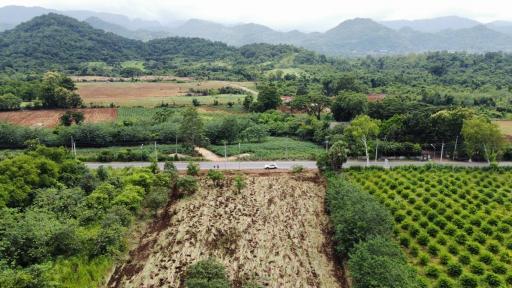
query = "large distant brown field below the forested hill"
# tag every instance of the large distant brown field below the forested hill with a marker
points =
(150, 94)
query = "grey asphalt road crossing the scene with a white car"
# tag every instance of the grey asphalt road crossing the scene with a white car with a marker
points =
(284, 165)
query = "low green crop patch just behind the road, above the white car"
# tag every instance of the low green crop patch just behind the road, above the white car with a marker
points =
(275, 148)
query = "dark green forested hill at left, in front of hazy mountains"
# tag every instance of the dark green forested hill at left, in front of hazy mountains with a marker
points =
(59, 42)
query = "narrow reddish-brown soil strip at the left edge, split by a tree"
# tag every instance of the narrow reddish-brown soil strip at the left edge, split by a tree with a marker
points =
(50, 118)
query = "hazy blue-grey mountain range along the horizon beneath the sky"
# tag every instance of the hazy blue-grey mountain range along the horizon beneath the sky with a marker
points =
(353, 37)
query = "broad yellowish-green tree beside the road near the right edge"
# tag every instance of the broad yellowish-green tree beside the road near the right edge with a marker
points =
(481, 135)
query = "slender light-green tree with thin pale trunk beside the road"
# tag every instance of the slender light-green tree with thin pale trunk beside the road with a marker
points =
(363, 129)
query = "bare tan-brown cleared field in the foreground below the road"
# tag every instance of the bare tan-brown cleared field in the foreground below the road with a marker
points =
(235, 229)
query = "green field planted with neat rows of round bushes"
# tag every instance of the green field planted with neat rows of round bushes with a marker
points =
(454, 224)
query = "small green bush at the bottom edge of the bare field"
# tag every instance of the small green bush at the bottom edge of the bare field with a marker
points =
(206, 274)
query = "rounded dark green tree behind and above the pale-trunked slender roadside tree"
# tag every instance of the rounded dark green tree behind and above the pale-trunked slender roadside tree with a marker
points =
(346, 106)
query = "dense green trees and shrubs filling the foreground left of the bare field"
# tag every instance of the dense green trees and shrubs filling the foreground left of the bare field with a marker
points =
(53, 209)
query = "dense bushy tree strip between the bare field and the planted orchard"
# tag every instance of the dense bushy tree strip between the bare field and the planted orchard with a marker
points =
(363, 229)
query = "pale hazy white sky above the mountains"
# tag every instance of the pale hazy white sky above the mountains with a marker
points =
(286, 14)
